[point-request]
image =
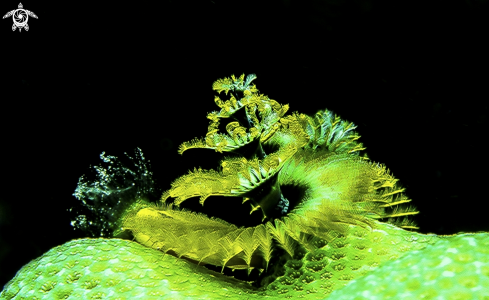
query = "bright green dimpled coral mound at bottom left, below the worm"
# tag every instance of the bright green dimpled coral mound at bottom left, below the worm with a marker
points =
(117, 269)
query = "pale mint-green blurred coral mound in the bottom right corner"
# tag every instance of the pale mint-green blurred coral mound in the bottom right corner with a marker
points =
(455, 268)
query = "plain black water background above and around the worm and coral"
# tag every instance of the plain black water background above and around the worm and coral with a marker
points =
(90, 77)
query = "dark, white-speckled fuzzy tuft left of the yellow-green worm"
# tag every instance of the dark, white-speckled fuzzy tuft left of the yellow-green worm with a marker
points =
(115, 187)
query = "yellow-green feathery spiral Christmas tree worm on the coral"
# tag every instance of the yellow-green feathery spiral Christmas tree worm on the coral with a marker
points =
(319, 154)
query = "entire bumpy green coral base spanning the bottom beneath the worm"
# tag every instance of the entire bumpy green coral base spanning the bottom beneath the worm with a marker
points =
(454, 267)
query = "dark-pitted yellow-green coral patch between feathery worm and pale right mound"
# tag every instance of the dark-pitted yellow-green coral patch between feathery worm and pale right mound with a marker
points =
(349, 256)
